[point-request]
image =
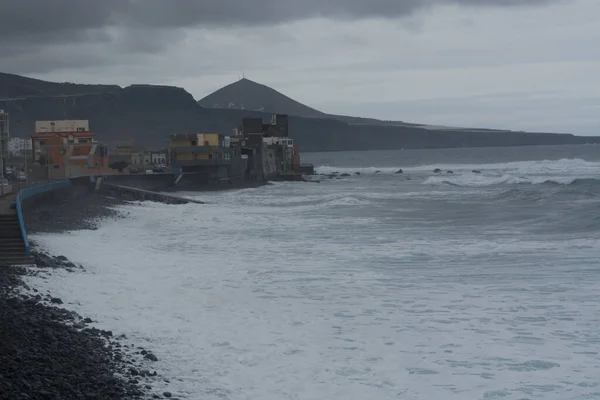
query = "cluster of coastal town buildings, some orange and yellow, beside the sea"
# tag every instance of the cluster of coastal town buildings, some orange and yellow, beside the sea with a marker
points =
(63, 149)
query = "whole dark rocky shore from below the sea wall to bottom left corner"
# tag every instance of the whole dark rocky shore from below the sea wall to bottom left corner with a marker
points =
(47, 352)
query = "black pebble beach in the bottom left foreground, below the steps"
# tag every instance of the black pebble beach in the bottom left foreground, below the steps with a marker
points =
(42, 356)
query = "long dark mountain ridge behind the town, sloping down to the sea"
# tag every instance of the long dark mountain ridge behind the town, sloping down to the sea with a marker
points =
(149, 113)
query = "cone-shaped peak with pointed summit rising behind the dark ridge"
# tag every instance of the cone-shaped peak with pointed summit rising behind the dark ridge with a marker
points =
(249, 95)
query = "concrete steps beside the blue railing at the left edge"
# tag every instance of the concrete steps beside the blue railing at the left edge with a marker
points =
(12, 248)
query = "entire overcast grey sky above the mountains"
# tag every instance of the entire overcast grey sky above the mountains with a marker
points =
(517, 64)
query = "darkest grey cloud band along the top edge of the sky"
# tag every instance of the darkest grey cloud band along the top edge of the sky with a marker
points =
(73, 20)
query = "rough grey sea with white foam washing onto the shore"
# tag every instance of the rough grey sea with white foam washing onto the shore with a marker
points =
(482, 283)
